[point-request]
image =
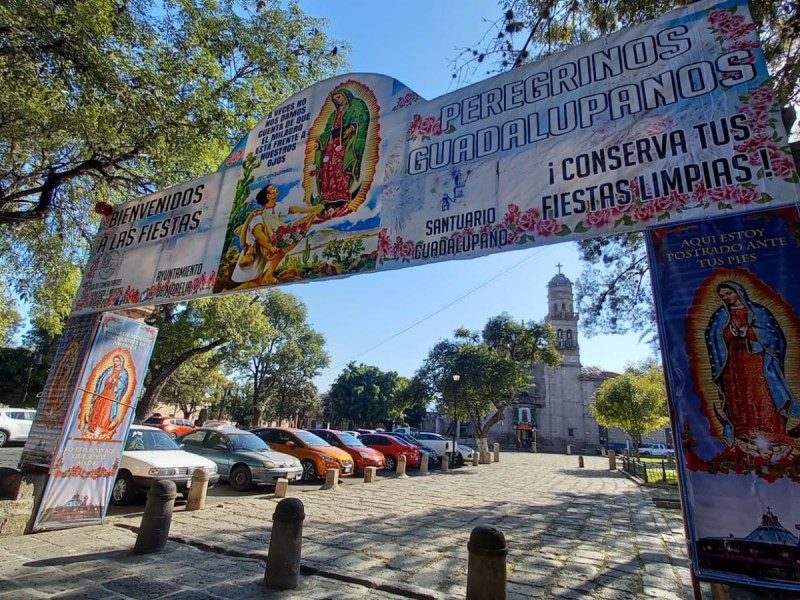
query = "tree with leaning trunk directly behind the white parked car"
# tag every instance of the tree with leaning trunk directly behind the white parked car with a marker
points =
(191, 329)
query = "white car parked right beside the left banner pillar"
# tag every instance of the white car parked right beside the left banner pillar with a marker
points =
(150, 455)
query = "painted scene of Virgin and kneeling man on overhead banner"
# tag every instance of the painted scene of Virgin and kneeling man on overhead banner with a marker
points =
(291, 223)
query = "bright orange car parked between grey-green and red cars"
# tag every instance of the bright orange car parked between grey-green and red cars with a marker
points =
(315, 454)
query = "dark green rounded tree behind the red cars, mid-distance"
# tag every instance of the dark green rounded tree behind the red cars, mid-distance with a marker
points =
(366, 396)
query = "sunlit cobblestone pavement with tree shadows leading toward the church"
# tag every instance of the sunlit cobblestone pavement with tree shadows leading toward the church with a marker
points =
(571, 533)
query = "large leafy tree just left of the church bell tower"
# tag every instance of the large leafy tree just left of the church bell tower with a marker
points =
(493, 368)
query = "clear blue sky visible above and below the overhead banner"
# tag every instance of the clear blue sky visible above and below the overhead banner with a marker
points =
(391, 320)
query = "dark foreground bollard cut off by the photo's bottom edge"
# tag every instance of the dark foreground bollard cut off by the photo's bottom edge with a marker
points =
(486, 566)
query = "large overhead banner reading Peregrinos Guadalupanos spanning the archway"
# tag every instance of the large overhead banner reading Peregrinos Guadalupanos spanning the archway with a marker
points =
(671, 120)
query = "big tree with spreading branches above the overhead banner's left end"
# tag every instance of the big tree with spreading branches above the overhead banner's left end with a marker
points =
(107, 100)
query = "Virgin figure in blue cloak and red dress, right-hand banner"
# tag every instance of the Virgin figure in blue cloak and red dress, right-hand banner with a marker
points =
(747, 351)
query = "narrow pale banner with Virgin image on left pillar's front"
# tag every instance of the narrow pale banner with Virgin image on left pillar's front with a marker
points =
(85, 464)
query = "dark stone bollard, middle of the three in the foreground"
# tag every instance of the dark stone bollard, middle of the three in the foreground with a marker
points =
(285, 545)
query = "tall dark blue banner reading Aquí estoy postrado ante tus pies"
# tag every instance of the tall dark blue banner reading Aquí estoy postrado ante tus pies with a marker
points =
(728, 304)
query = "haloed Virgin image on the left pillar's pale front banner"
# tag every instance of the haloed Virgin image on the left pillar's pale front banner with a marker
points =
(104, 407)
